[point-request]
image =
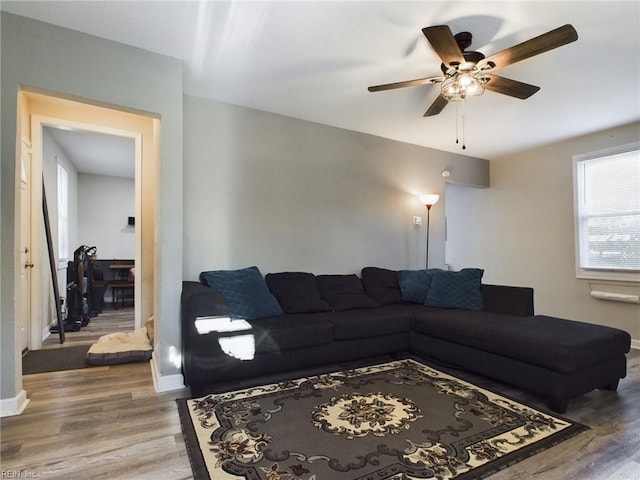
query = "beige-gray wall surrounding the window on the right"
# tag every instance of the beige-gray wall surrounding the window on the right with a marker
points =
(521, 231)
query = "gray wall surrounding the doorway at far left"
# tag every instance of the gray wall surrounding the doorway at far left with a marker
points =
(54, 59)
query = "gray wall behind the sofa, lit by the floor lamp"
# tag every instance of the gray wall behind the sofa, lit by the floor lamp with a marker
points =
(285, 194)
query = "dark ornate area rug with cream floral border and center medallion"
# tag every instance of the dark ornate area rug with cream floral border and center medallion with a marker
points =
(400, 420)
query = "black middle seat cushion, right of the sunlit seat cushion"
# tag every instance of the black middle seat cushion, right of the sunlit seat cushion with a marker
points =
(353, 324)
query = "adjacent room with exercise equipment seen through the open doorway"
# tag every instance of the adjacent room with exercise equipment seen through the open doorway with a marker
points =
(89, 180)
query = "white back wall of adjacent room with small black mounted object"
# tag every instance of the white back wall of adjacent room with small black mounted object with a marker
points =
(104, 205)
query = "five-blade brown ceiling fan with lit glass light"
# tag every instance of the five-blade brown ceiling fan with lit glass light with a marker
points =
(468, 73)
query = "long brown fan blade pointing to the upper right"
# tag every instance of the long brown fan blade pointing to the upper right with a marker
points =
(535, 46)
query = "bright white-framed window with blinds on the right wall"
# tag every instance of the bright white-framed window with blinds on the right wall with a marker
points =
(607, 201)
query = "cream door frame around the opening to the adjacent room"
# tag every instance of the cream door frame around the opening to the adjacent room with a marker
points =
(49, 110)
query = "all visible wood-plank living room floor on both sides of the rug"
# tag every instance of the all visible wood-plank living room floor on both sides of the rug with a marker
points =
(108, 423)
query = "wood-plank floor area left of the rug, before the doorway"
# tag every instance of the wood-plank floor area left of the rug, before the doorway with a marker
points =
(98, 423)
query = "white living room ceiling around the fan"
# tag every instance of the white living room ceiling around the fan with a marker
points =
(313, 60)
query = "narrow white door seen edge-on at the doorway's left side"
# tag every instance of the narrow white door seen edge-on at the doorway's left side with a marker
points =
(24, 307)
